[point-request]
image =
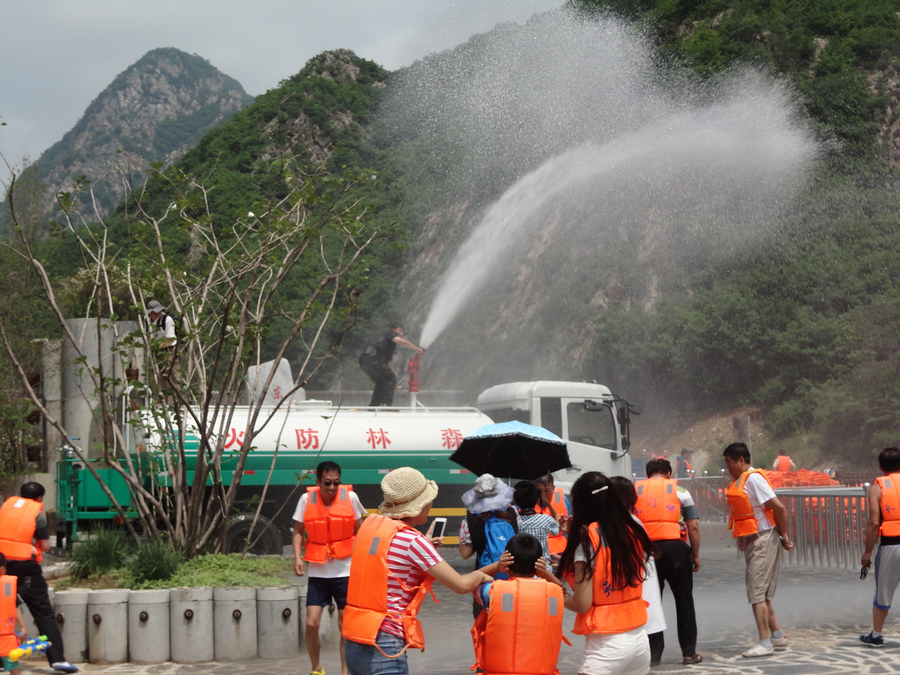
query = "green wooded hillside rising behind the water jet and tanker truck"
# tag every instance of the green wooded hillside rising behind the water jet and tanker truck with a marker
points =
(805, 321)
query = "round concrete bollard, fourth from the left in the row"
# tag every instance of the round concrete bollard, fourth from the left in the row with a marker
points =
(191, 622)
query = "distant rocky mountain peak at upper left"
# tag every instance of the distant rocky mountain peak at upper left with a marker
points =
(154, 111)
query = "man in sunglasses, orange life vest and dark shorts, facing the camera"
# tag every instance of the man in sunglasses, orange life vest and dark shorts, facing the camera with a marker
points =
(330, 515)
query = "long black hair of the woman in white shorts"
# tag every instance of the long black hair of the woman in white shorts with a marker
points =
(594, 500)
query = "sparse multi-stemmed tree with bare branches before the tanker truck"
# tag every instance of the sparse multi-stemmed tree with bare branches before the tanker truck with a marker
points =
(229, 290)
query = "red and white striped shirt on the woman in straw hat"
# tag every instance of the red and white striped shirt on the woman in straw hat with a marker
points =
(410, 555)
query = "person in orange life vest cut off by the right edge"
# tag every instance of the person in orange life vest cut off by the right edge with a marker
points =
(883, 522)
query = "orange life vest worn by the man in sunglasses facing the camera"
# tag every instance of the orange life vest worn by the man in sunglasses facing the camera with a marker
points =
(330, 530)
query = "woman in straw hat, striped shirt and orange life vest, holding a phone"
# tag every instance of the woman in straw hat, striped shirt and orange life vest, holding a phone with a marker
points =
(393, 568)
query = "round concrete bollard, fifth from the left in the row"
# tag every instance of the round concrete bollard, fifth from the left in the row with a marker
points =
(234, 623)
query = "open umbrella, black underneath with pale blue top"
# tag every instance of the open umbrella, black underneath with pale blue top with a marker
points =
(512, 450)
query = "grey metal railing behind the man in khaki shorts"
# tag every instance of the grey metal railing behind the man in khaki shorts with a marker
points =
(827, 524)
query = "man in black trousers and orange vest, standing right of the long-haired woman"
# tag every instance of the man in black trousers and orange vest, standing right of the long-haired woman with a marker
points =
(660, 506)
